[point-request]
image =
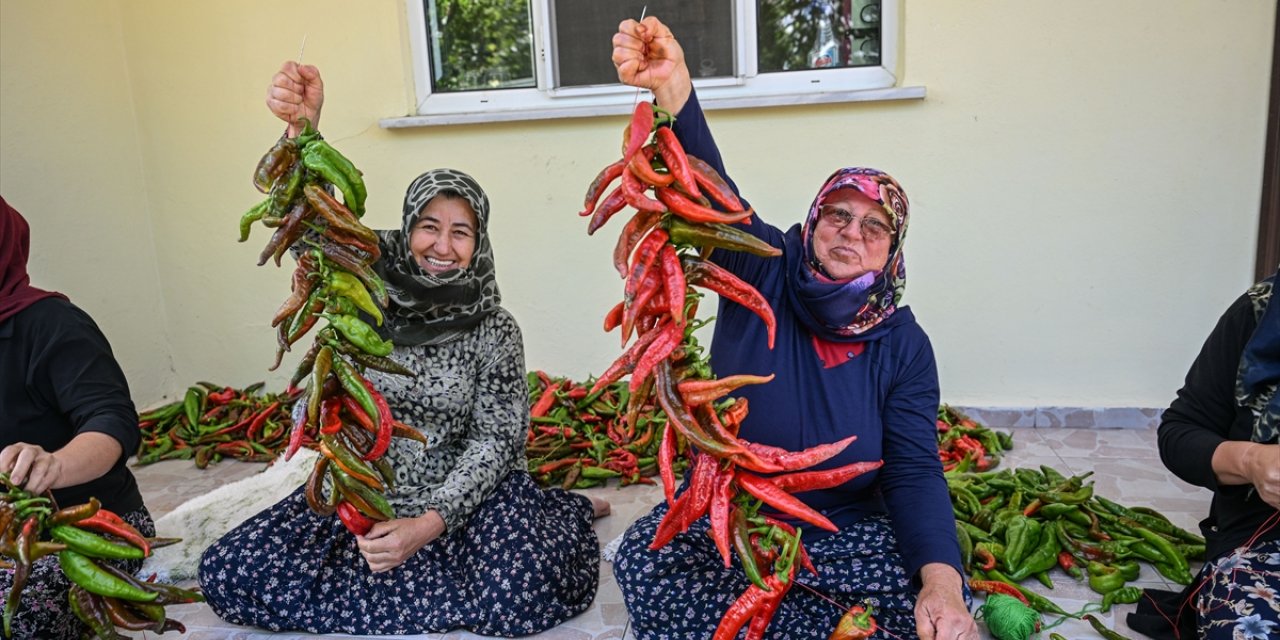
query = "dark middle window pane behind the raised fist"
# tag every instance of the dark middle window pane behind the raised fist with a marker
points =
(584, 31)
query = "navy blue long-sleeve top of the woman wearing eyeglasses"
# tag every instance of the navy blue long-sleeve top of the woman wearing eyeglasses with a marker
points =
(886, 394)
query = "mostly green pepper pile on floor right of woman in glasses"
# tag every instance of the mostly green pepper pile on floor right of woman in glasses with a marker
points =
(1020, 524)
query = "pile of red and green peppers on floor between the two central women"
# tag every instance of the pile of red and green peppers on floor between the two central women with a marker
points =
(579, 438)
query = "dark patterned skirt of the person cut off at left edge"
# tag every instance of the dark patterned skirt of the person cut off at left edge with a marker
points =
(44, 611)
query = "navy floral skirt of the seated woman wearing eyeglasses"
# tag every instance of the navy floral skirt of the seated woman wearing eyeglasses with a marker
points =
(684, 589)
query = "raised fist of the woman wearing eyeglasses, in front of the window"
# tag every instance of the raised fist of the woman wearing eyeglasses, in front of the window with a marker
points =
(647, 56)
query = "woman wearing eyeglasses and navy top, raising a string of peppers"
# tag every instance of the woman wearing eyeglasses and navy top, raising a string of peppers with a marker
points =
(848, 362)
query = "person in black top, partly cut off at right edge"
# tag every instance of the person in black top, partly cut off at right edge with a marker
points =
(1223, 433)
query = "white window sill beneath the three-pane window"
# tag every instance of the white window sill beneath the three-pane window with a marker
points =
(708, 100)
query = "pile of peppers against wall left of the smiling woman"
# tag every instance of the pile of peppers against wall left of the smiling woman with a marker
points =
(214, 422)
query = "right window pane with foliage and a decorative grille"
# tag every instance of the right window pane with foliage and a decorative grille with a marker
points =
(799, 35)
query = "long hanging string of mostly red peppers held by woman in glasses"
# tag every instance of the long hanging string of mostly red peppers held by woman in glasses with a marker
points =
(662, 255)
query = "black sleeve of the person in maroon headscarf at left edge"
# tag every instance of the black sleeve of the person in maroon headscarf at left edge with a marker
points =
(79, 372)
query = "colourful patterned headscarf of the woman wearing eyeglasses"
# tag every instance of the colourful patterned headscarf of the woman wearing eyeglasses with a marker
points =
(853, 310)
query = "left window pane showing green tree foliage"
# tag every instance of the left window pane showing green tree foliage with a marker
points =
(481, 44)
